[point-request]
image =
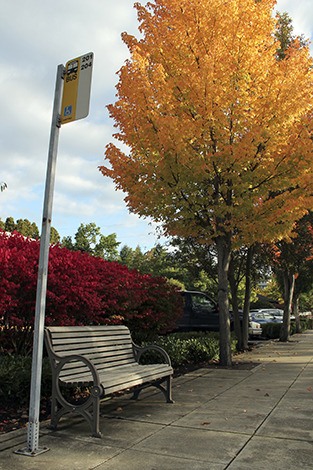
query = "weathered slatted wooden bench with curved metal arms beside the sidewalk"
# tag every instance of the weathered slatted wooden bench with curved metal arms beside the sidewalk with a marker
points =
(104, 359)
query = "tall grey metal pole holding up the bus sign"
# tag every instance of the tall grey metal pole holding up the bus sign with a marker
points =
(34, 404)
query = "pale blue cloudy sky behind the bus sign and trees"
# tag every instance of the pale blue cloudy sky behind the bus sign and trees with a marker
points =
(36, 36)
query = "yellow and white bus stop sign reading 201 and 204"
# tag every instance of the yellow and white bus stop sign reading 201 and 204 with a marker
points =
(76, 90)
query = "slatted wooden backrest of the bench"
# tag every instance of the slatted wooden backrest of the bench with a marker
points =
(105, 346)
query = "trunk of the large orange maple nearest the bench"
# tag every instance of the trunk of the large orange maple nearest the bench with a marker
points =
(223, 256)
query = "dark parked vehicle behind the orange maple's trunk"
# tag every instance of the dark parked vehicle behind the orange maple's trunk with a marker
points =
(201, 313)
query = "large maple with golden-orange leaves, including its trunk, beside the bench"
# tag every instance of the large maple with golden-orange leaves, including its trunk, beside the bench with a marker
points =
(217, 129)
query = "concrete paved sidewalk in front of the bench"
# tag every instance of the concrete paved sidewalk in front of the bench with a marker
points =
(236, 419)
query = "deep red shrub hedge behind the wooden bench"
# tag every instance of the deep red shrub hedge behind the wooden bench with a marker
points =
(82, 289)
